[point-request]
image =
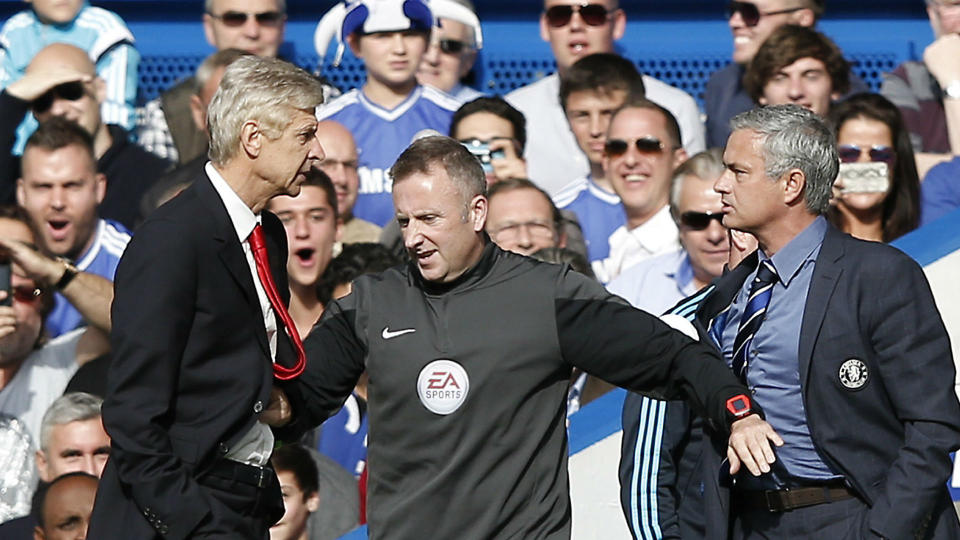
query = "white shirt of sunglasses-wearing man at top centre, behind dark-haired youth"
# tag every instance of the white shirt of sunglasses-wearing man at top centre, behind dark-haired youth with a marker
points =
(554, 158)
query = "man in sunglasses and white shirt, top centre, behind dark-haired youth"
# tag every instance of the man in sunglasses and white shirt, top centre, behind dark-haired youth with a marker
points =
(575, 29)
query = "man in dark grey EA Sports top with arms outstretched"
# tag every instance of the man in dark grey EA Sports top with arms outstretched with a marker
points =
(459, 420)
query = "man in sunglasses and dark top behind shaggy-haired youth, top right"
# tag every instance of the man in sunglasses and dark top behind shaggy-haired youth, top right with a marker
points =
(751, 23)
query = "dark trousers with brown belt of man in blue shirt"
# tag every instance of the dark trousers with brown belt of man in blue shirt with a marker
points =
(841, 520)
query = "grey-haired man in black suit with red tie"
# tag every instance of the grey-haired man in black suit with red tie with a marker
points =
(199, 325)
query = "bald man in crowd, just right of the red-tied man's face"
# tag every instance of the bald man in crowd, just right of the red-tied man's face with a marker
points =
(340, 164)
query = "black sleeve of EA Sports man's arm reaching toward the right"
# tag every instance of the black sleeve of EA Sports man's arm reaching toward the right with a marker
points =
(604, 336)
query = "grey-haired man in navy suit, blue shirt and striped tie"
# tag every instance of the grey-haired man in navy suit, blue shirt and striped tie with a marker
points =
(842, 346)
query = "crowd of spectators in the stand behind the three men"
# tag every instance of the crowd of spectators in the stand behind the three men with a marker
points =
(597, 165)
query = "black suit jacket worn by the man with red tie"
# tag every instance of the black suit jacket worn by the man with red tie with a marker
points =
(191, 368)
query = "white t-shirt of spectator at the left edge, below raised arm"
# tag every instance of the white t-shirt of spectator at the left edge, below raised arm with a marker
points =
(41, 380)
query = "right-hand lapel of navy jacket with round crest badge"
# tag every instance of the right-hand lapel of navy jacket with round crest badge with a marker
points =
(826, 274)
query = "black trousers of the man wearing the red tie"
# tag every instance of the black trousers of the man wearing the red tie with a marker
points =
(240, 511)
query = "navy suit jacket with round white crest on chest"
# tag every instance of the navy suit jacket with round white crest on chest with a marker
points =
(890, 437)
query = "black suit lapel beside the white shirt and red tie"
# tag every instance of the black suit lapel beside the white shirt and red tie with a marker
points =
(231, 255)
